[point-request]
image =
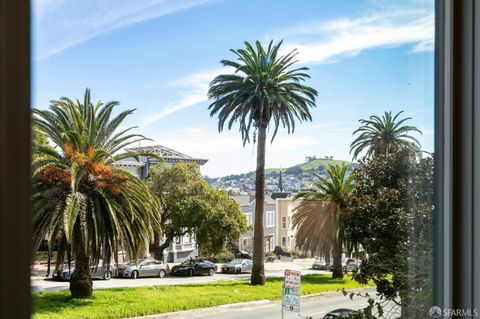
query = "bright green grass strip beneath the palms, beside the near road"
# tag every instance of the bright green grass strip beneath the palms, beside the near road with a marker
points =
(131, 302)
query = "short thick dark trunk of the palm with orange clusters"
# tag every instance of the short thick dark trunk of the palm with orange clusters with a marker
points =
(81, 279)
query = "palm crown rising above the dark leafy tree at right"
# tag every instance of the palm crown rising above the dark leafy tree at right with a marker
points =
(383, 135)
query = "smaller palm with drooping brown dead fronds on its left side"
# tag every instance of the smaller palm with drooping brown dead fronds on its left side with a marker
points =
(318, 216)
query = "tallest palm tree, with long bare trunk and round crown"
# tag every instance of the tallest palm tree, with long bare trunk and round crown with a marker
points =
(263, 92)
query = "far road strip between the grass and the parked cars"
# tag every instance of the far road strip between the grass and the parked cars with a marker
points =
(40, 283)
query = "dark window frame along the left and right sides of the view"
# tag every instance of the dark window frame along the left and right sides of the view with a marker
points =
(456, 148)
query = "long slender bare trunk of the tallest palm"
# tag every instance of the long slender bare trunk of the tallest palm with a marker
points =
(258, 271)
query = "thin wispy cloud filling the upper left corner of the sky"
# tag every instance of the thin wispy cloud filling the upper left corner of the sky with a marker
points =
(59, 24)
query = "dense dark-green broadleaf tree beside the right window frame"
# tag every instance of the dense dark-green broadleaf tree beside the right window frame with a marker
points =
(391, 216)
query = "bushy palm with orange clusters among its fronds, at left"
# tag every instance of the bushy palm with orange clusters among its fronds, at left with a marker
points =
(82, 202)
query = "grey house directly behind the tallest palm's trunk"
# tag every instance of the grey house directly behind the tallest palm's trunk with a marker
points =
(247, 205)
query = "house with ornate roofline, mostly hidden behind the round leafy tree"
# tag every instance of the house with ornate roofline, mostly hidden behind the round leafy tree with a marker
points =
(181, 247)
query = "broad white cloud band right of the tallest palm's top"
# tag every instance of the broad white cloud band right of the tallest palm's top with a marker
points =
(346, 37)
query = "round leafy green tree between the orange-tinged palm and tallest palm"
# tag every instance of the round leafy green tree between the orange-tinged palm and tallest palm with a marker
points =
(191, 206)
